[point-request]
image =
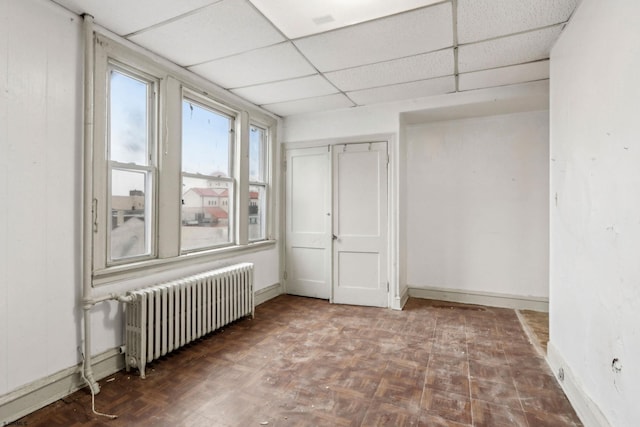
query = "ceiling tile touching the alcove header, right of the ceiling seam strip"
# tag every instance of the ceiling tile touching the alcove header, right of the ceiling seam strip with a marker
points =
(504, 76)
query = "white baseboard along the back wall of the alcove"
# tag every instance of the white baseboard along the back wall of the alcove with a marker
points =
(516, 302)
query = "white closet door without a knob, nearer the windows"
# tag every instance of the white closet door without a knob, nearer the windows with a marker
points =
(308, 222)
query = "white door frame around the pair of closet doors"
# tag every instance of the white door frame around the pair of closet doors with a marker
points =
(396, 299)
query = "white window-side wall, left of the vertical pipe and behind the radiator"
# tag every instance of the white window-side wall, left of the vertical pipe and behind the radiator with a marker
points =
(40, 186)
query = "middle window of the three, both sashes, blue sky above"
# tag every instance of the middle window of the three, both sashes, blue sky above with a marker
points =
(207, 161)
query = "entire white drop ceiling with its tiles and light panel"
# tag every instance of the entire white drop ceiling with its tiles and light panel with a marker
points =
(293, 56)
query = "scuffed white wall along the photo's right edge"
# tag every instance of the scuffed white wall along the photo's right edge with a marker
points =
(595, 224)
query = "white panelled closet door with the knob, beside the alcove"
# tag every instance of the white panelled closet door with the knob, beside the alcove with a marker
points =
(360, 224)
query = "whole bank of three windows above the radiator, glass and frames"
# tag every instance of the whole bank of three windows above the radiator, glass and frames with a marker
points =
(180, 172)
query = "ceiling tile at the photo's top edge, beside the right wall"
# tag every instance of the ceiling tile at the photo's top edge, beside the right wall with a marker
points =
(485, 19)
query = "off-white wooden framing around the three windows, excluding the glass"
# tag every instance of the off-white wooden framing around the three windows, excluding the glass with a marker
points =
(173, 84)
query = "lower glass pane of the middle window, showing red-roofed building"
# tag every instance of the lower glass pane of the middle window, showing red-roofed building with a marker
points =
(206, 213)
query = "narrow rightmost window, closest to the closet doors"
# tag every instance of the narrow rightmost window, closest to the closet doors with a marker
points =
(257, 182)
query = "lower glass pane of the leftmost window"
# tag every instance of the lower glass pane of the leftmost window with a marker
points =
(130, 214)
